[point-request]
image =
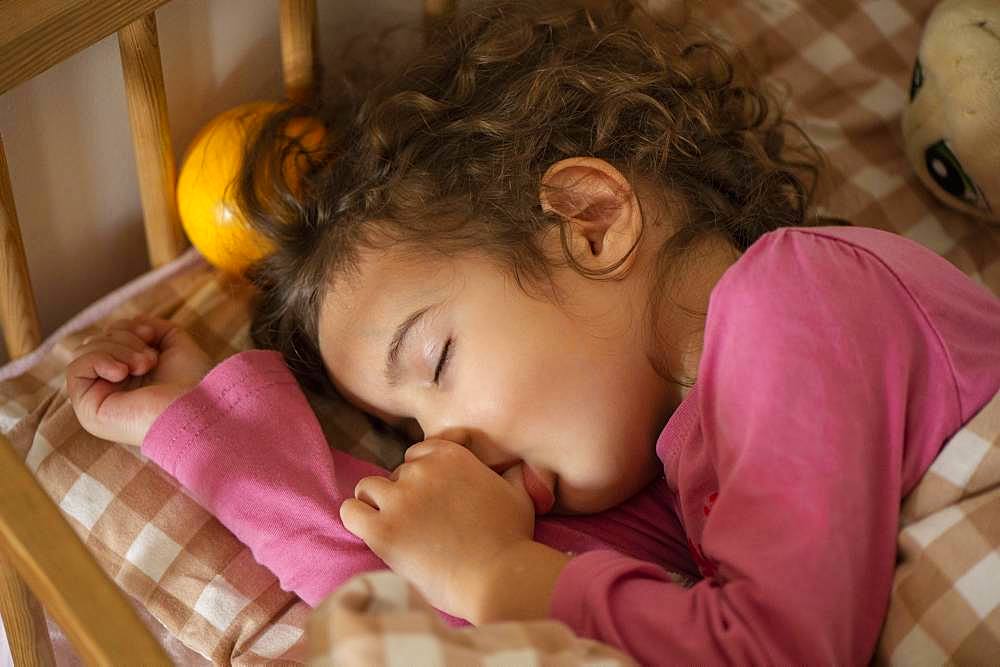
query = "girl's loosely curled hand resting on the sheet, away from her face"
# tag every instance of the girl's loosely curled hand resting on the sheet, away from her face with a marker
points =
(122, 379)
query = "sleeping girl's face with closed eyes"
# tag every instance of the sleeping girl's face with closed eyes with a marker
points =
(453, 348)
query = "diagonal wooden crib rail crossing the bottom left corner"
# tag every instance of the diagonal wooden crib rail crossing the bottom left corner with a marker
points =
(89, 607)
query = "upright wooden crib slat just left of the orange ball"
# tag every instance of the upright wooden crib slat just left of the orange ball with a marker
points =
(154, 154)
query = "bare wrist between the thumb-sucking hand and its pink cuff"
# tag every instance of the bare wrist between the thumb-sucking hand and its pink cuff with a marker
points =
(517, 584)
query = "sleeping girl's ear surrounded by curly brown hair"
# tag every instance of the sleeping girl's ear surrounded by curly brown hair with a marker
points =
(600, 212)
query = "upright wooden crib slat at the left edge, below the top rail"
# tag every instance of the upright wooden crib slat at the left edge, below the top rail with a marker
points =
(18, 314)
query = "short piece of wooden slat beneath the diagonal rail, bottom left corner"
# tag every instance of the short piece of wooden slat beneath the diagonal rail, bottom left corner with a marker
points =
(24, 621)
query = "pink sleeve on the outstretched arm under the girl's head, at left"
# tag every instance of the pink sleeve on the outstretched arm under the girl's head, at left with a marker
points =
(248, 447)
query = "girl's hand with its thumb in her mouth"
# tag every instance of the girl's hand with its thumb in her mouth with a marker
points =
(441, 520)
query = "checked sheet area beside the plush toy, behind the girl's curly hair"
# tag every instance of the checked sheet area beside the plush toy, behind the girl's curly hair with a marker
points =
(846, 67)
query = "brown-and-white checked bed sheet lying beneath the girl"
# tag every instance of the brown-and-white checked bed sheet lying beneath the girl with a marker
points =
(846, 67)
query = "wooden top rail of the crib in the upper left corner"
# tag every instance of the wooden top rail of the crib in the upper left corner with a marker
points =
(37, 34)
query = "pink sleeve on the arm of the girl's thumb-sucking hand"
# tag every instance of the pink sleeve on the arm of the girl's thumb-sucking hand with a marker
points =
(820, 374)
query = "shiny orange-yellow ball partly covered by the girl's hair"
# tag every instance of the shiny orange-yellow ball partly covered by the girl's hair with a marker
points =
(205, 185)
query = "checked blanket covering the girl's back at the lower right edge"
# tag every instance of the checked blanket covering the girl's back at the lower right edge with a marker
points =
(945, 606)
